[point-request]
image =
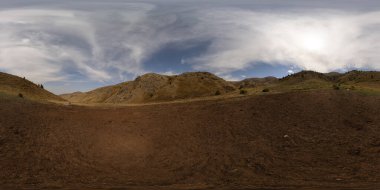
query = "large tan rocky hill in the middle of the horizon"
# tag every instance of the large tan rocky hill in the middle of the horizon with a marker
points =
(154, 87)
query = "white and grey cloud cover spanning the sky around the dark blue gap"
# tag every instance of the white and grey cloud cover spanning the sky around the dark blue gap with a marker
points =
(107, 42)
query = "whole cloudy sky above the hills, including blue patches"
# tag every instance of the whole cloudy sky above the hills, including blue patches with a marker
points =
(79, 45)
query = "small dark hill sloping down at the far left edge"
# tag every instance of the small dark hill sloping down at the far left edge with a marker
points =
(17, 86)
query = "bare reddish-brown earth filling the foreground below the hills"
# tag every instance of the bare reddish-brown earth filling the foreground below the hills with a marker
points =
(310, 140)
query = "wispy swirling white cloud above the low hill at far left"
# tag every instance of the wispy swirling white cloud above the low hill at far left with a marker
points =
(30, 44)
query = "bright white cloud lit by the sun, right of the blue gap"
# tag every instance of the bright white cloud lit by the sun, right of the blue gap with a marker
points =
(321, 41)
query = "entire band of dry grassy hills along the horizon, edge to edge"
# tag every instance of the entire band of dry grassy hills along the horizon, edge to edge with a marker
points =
(152, 87)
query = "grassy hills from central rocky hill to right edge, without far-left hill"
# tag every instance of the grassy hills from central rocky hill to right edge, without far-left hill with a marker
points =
(193, 86)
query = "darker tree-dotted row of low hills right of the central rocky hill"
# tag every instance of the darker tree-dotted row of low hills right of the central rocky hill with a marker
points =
(367, 82)
